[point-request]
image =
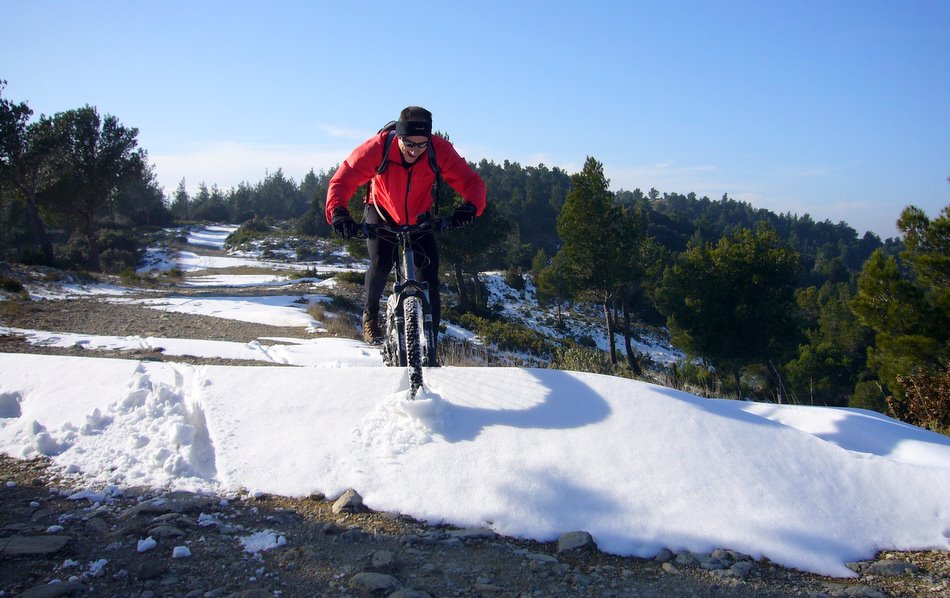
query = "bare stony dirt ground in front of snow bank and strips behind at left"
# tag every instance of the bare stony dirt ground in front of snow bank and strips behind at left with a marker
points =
(59, 537)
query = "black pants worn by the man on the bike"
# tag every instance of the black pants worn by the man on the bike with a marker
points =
(382, 255)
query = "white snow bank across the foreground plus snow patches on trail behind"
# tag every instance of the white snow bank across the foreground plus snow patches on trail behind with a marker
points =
(528, 452)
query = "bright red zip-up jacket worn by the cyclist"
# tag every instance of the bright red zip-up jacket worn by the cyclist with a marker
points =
(403, 192)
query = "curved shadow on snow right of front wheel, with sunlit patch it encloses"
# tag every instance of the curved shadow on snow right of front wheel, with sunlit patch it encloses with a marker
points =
(517, 398)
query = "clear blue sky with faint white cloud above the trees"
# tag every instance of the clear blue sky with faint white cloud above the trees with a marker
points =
(838, 109)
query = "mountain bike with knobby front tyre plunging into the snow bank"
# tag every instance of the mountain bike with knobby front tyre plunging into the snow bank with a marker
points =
(408, 332)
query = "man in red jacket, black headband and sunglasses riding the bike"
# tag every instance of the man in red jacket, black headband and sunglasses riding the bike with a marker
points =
(400, 194)
